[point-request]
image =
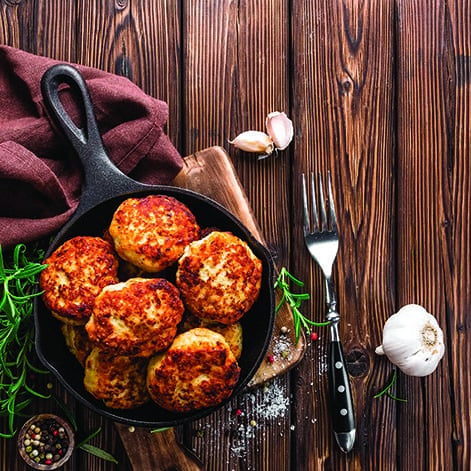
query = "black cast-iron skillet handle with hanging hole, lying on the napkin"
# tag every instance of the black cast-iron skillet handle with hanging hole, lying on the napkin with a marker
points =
(102, 179)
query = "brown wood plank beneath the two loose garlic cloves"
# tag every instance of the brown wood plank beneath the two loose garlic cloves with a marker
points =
(235, 73)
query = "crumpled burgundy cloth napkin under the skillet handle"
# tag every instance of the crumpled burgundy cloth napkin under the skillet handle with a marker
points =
(40, 176)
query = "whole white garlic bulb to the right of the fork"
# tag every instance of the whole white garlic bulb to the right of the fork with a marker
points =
(413, 341)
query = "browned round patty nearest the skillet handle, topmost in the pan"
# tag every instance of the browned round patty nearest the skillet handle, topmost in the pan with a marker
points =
(152, 232)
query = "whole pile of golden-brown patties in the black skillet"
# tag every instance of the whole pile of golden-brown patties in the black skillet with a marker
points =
(123, 331)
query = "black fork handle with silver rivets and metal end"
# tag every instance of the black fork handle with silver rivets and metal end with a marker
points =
(343, 419)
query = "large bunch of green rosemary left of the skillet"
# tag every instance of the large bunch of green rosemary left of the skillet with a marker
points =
(18, 282)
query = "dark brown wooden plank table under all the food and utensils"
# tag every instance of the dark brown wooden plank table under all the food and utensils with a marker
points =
(380, 95)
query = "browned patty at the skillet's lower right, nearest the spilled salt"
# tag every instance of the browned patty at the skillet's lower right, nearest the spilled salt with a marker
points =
(199, 370)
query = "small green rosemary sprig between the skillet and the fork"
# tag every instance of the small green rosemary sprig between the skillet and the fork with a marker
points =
(294, 300)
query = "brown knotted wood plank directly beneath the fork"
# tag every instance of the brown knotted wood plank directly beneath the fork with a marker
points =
(343, 90)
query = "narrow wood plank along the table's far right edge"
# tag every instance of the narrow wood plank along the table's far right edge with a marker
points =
(459, 231)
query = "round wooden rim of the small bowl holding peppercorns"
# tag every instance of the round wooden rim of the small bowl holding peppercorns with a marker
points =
(39, 419)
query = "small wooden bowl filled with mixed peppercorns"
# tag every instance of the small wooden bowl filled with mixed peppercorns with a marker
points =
(46, 442)
